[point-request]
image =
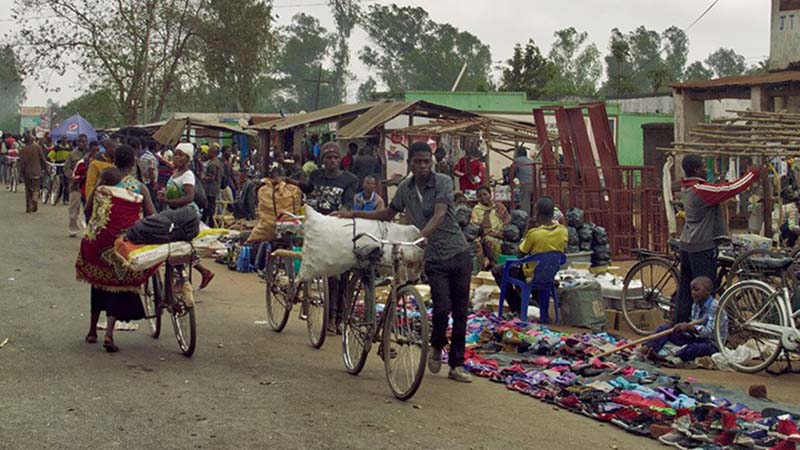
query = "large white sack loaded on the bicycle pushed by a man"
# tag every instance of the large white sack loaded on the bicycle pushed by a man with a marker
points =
(328, 243)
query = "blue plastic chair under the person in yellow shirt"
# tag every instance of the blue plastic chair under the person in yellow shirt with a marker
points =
(543, 282)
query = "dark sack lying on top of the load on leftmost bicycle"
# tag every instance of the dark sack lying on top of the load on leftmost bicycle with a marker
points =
(170, 225)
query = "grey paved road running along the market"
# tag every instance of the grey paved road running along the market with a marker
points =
(245, 387)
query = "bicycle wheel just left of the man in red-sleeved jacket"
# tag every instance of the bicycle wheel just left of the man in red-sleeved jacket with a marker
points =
(650, 285)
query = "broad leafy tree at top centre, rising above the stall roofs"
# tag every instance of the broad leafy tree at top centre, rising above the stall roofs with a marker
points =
(409, 51)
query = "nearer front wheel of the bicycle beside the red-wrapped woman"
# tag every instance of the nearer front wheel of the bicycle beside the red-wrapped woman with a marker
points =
(181, 311)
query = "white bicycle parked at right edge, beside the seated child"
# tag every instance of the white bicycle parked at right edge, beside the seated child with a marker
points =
(760, 317)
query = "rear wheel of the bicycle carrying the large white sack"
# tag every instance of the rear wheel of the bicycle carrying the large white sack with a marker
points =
(357, 330)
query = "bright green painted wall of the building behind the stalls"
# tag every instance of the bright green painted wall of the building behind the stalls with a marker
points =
(629, 126)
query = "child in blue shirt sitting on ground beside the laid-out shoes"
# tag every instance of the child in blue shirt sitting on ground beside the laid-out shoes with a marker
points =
(696, 340)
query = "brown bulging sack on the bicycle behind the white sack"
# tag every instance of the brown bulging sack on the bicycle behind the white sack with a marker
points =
(273, 200)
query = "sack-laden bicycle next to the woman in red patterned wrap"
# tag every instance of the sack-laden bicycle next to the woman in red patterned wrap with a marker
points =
(175, 295)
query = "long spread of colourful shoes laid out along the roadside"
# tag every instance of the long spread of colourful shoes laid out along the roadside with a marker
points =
(562, 369)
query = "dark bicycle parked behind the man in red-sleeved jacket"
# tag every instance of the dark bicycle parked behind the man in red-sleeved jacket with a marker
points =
(654, 281)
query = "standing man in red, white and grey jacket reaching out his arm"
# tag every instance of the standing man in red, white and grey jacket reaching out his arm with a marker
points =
(703, 226)
